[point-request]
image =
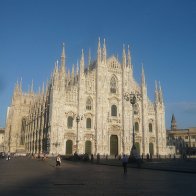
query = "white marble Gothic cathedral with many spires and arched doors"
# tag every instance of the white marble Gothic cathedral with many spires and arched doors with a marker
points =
(85, 110)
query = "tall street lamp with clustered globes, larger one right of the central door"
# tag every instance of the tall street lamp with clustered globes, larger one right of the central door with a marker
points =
(132, 97)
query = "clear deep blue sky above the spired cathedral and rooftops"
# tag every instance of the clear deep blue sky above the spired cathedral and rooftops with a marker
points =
(161, 35)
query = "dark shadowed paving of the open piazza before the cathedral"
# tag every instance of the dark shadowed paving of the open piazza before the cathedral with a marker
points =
(25, 176)
